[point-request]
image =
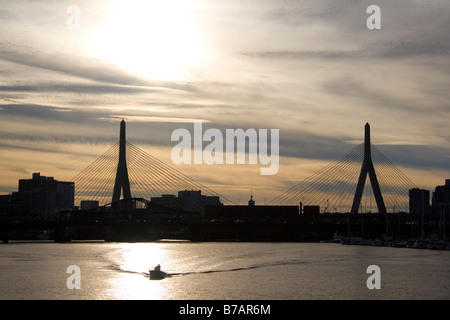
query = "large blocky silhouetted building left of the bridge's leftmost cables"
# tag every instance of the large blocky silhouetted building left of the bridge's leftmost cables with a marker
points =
(42, 197)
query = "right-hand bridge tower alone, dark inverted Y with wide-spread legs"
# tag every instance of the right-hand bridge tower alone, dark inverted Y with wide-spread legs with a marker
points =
(368, 168)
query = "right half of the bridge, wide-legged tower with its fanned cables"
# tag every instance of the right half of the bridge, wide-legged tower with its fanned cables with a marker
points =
(362, 180)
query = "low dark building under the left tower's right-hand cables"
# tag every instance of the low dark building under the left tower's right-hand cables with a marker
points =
(187, 200)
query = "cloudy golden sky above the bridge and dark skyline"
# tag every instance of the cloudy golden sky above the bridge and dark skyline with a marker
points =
(71, 70)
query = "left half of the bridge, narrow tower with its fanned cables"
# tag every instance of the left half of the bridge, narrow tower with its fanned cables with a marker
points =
(128, 170)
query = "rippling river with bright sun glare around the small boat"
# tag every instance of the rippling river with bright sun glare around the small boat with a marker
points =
(220, 270)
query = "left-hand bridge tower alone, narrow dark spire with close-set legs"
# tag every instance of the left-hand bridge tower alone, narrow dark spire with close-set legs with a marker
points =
(122, 183)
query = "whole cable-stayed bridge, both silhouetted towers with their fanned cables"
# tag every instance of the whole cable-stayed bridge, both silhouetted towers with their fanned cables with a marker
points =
(362, 180)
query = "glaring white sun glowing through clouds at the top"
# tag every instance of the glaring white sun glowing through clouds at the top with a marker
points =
(156, 39)
